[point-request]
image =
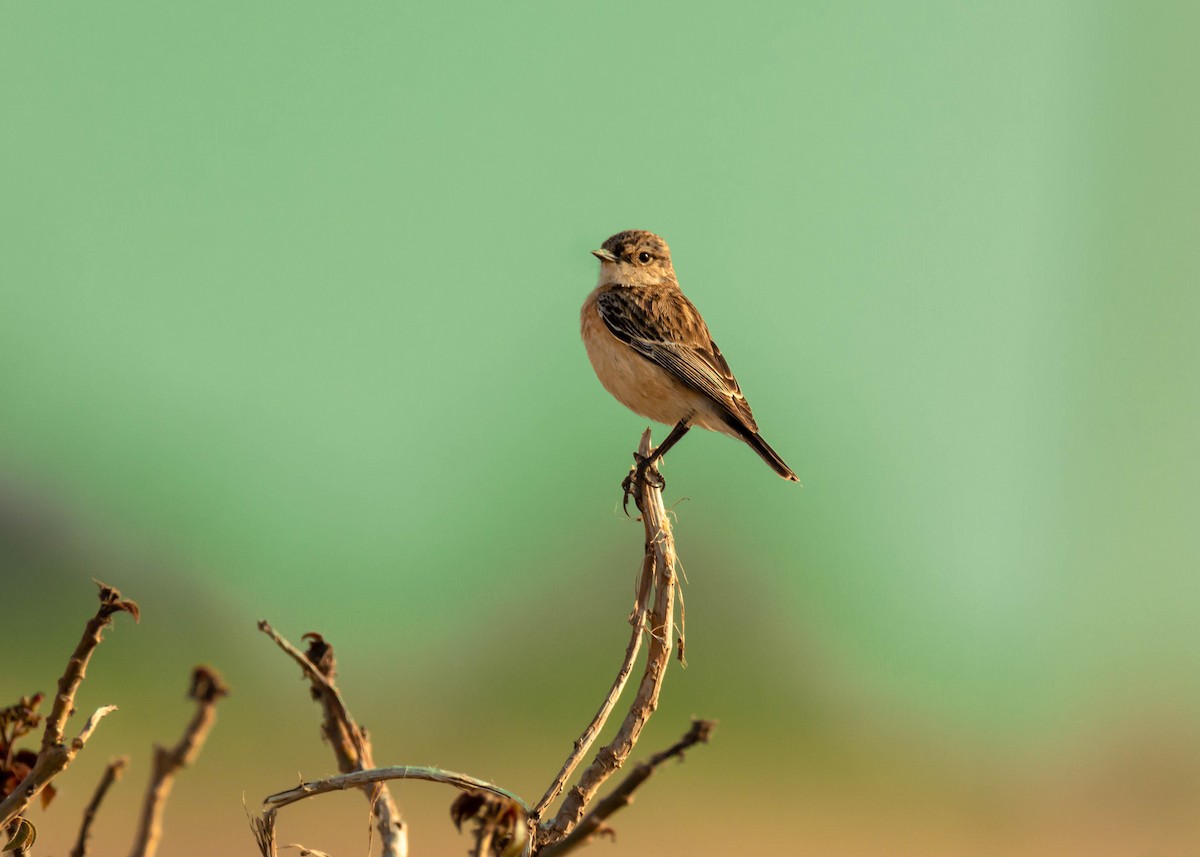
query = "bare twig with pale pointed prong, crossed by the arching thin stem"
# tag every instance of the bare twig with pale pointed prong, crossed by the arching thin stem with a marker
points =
(351, 742)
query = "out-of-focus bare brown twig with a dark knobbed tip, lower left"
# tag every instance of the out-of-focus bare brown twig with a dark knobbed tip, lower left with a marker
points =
(207, 690)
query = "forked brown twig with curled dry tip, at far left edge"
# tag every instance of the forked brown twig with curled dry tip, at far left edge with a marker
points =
(56, 756)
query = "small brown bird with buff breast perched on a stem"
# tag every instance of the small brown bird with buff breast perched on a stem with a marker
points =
(653, 352)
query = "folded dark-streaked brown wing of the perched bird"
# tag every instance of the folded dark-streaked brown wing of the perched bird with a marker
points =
(665, 328)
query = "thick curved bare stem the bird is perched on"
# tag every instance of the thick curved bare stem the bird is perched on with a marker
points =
(661, 626)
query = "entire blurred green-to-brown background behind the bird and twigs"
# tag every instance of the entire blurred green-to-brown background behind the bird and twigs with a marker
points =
(289, 329)
